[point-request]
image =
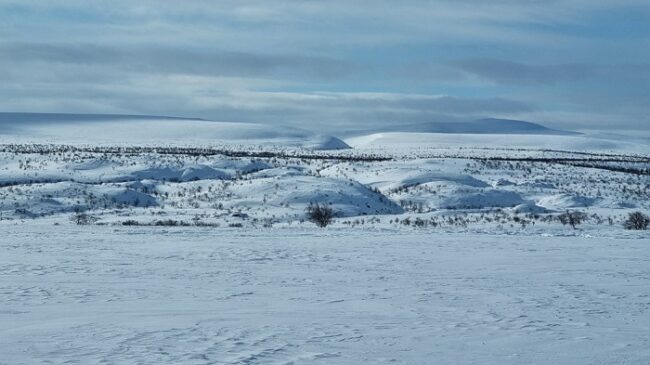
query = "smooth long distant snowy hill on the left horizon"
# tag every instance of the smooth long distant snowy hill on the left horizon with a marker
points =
(151, 130)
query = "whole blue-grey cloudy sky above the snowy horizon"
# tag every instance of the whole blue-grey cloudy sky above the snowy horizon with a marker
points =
(332, 65)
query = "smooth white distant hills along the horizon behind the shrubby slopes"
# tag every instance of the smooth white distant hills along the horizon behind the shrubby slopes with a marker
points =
(109, 129)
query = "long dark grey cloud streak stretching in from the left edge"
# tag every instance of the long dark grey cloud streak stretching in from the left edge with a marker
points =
(167, 60)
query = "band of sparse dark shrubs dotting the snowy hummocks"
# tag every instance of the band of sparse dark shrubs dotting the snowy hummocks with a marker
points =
(163, 181)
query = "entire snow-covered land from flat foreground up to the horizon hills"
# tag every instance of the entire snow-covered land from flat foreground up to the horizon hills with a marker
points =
(150, 240)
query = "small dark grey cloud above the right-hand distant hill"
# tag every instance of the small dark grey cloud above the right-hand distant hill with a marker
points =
(508, 72)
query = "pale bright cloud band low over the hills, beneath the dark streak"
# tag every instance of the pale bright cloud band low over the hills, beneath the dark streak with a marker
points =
(225, 99)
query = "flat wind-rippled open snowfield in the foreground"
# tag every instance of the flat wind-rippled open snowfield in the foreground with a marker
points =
(145, 295)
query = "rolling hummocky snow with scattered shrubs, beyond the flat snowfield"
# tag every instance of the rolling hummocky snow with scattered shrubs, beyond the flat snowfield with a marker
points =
(47, 181)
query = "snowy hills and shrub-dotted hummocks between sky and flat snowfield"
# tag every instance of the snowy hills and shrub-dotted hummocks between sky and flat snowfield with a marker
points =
(272, 174)
